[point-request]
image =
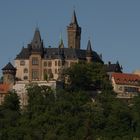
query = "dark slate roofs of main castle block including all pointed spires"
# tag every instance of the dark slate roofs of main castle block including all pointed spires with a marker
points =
(36, 46)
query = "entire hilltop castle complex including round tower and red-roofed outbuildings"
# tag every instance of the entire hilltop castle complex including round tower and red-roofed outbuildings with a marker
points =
(37, 63)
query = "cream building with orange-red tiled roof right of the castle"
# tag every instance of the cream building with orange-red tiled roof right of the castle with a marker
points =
(126, 85)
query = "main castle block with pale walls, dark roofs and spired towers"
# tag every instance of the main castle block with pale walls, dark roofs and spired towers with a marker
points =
(35, 61)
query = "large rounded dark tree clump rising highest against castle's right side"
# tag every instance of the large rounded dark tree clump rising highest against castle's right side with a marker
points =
(87, 76)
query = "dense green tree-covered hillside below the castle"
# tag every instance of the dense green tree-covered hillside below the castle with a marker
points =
(71, 113)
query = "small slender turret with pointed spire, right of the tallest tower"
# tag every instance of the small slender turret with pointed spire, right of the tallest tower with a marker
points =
(89, 52)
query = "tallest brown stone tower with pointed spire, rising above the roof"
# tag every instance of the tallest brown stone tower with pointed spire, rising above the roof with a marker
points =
(74, 33)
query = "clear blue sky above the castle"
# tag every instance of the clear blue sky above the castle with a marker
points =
(113, 26)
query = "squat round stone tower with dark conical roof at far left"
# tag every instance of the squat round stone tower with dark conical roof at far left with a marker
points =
(9, 72)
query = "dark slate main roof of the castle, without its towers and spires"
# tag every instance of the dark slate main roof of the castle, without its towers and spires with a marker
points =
(54, 53)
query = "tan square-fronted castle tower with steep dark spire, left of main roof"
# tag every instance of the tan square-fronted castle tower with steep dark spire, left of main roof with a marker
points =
(35, 59)
